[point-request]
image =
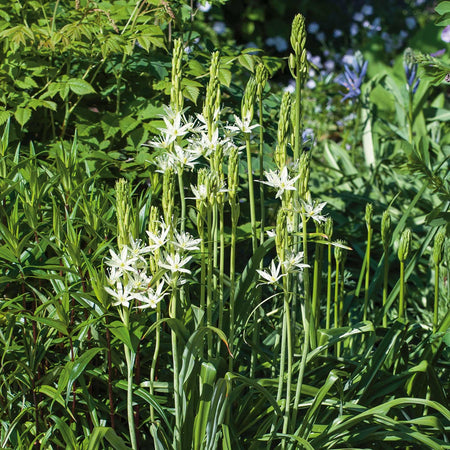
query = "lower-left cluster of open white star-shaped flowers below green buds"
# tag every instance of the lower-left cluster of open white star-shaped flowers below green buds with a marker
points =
(129, 278)
